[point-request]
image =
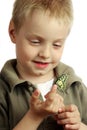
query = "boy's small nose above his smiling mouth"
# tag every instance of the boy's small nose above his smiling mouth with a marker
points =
(45, 52)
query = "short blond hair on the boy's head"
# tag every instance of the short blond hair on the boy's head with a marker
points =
(61, 9)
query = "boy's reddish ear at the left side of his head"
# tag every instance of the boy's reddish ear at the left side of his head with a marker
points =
(12, 32)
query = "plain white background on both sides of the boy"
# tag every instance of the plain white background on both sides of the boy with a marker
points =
(75, 51)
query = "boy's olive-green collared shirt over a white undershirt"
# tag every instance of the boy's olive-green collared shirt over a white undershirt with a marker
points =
(15, 94)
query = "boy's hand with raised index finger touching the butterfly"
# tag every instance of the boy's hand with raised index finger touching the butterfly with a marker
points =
(44, 108)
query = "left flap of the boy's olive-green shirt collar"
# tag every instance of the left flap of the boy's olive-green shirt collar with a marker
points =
(9, 73)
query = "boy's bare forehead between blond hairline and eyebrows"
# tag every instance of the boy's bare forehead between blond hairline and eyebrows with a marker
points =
(42, 24)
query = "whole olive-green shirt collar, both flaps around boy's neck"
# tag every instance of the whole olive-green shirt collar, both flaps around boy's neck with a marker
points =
(10, 75)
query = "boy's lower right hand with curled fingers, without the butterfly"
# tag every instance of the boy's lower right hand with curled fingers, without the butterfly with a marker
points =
(69, 116)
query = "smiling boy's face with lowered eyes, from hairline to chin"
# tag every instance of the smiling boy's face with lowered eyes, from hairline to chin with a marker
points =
(39, 44)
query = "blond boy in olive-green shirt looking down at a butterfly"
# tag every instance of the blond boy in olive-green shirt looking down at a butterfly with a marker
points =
(37, 91)
